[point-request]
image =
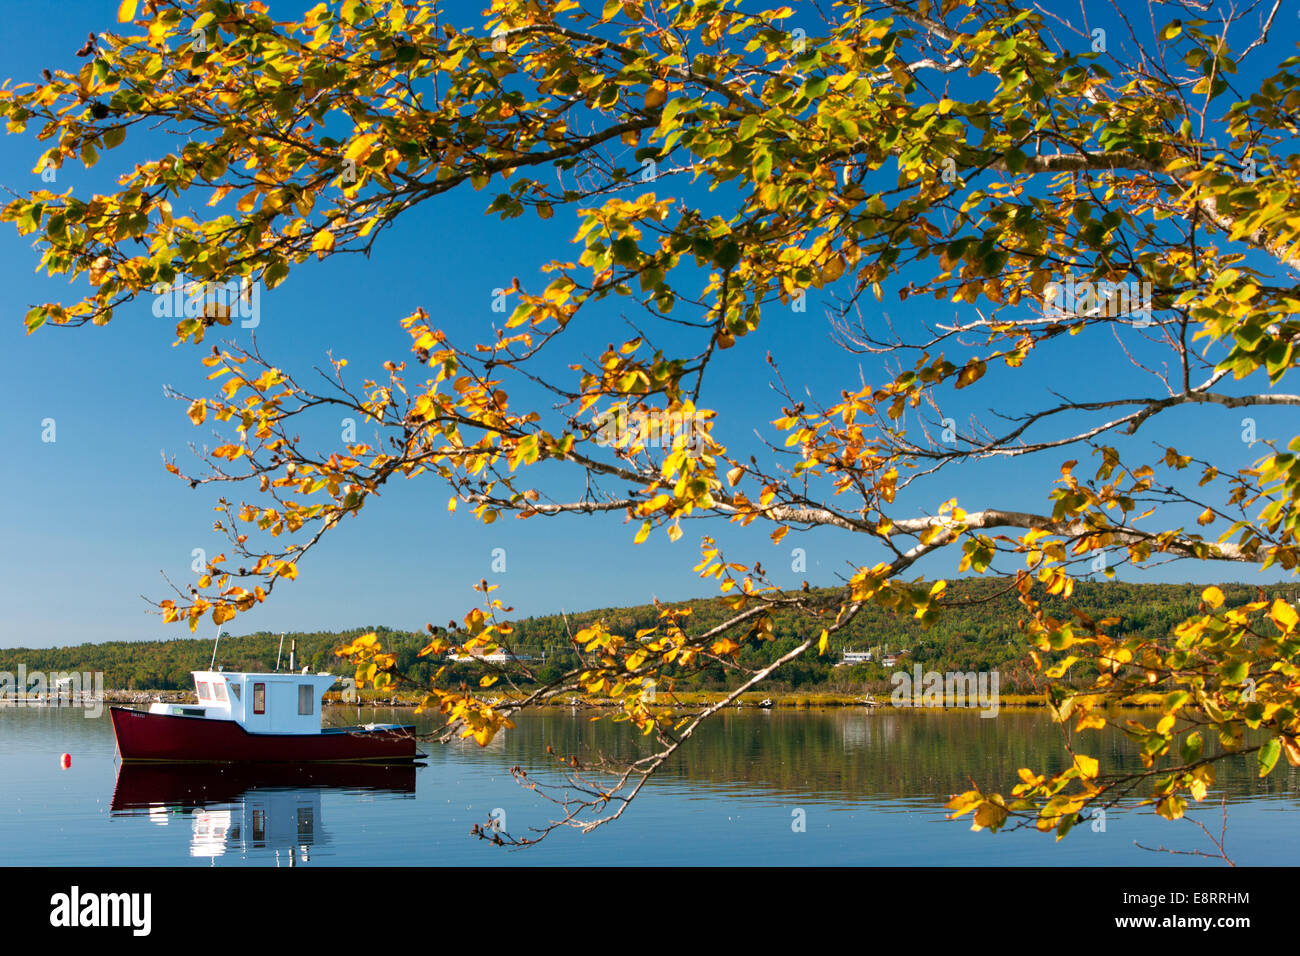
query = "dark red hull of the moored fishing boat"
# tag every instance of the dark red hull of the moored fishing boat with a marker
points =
(146, 737)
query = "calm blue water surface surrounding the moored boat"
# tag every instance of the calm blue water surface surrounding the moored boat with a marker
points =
(872, 790)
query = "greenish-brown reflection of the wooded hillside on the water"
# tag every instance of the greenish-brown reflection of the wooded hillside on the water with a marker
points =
(848, 756)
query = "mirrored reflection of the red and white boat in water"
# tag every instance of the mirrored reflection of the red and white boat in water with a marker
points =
(250, 810)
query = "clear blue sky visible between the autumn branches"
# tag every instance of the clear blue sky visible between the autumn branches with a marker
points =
(90, 521)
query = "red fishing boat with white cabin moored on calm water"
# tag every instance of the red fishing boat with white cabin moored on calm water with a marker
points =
(255, 719)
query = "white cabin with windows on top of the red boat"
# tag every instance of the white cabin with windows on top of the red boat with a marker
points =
(259, 703)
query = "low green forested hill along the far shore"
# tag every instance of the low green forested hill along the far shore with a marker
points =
(978, 633)
